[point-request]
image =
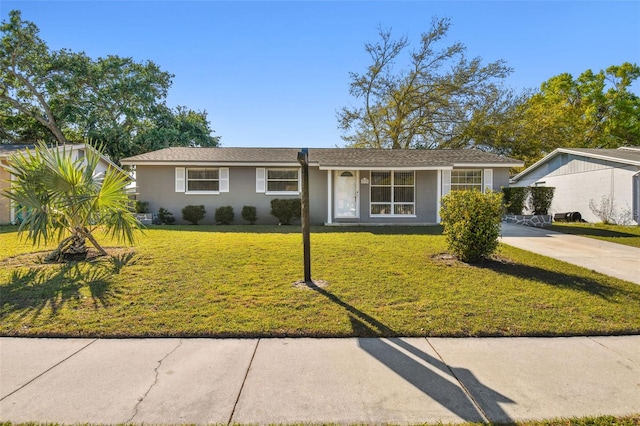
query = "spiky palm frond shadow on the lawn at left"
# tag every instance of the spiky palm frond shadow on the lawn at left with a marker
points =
(34, 289)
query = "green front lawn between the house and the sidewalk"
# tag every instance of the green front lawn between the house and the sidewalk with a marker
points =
(238, 281)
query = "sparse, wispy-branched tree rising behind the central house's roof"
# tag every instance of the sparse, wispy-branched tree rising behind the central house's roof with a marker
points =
(425, 104)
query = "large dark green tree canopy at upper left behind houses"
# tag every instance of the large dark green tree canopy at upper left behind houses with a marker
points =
(60, 96)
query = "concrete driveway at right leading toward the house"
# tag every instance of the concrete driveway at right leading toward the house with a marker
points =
(615, 260)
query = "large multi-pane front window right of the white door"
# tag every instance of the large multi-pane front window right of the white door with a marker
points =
(392, 193)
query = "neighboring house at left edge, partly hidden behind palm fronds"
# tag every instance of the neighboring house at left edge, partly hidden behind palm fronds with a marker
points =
(7, 210)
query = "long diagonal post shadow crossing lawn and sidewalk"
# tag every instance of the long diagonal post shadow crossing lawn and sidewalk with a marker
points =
(456, 392)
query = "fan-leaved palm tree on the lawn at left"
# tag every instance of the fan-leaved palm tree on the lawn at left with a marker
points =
(66, 200)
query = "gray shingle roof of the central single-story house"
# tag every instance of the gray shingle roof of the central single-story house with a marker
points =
(324, 157)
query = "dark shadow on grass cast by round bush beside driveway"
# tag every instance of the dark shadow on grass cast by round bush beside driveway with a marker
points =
(557, 279)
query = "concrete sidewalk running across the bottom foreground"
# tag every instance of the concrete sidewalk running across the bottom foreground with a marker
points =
(365, 380)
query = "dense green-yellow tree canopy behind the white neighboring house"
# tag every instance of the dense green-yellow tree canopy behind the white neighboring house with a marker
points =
(595, 110)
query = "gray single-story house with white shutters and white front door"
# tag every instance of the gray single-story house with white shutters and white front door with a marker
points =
(346, 186)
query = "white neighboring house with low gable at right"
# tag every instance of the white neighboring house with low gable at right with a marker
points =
(585, 178)
